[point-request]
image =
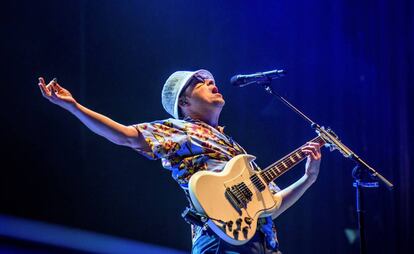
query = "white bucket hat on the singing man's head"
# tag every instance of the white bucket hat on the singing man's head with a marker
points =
(173, 87)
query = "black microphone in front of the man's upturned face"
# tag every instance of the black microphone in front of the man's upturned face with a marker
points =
(259, 78)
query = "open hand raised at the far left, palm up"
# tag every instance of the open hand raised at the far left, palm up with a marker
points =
(56, 94)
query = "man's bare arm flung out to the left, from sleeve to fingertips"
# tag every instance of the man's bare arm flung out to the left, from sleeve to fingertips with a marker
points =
(98, 123)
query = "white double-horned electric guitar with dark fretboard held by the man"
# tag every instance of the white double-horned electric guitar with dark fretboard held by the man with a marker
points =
(234, 199)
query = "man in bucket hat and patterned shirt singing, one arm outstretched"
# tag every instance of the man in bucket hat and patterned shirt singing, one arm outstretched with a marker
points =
(189, 142)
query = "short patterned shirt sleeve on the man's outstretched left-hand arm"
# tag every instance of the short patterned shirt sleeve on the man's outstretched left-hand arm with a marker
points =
(163, 138)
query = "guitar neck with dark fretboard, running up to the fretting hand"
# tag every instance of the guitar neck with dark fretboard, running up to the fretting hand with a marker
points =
(278, 168)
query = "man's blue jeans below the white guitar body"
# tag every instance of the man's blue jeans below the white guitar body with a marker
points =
(208, 242)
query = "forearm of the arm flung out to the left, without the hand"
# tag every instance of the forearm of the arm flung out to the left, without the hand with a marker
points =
(104, 126)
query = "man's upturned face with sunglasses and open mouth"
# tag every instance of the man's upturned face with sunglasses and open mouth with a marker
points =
(203, 92)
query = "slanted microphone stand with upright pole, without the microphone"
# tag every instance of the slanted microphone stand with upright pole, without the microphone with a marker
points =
(334, 143)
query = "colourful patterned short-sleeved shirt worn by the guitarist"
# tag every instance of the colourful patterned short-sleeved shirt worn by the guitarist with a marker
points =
(188, 146)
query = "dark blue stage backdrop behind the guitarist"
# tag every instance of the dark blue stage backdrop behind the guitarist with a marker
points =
(349, 64)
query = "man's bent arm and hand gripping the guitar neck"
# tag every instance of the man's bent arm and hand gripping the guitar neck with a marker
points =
(292, 193)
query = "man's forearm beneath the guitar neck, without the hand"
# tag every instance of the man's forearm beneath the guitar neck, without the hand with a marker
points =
(292, 193)
